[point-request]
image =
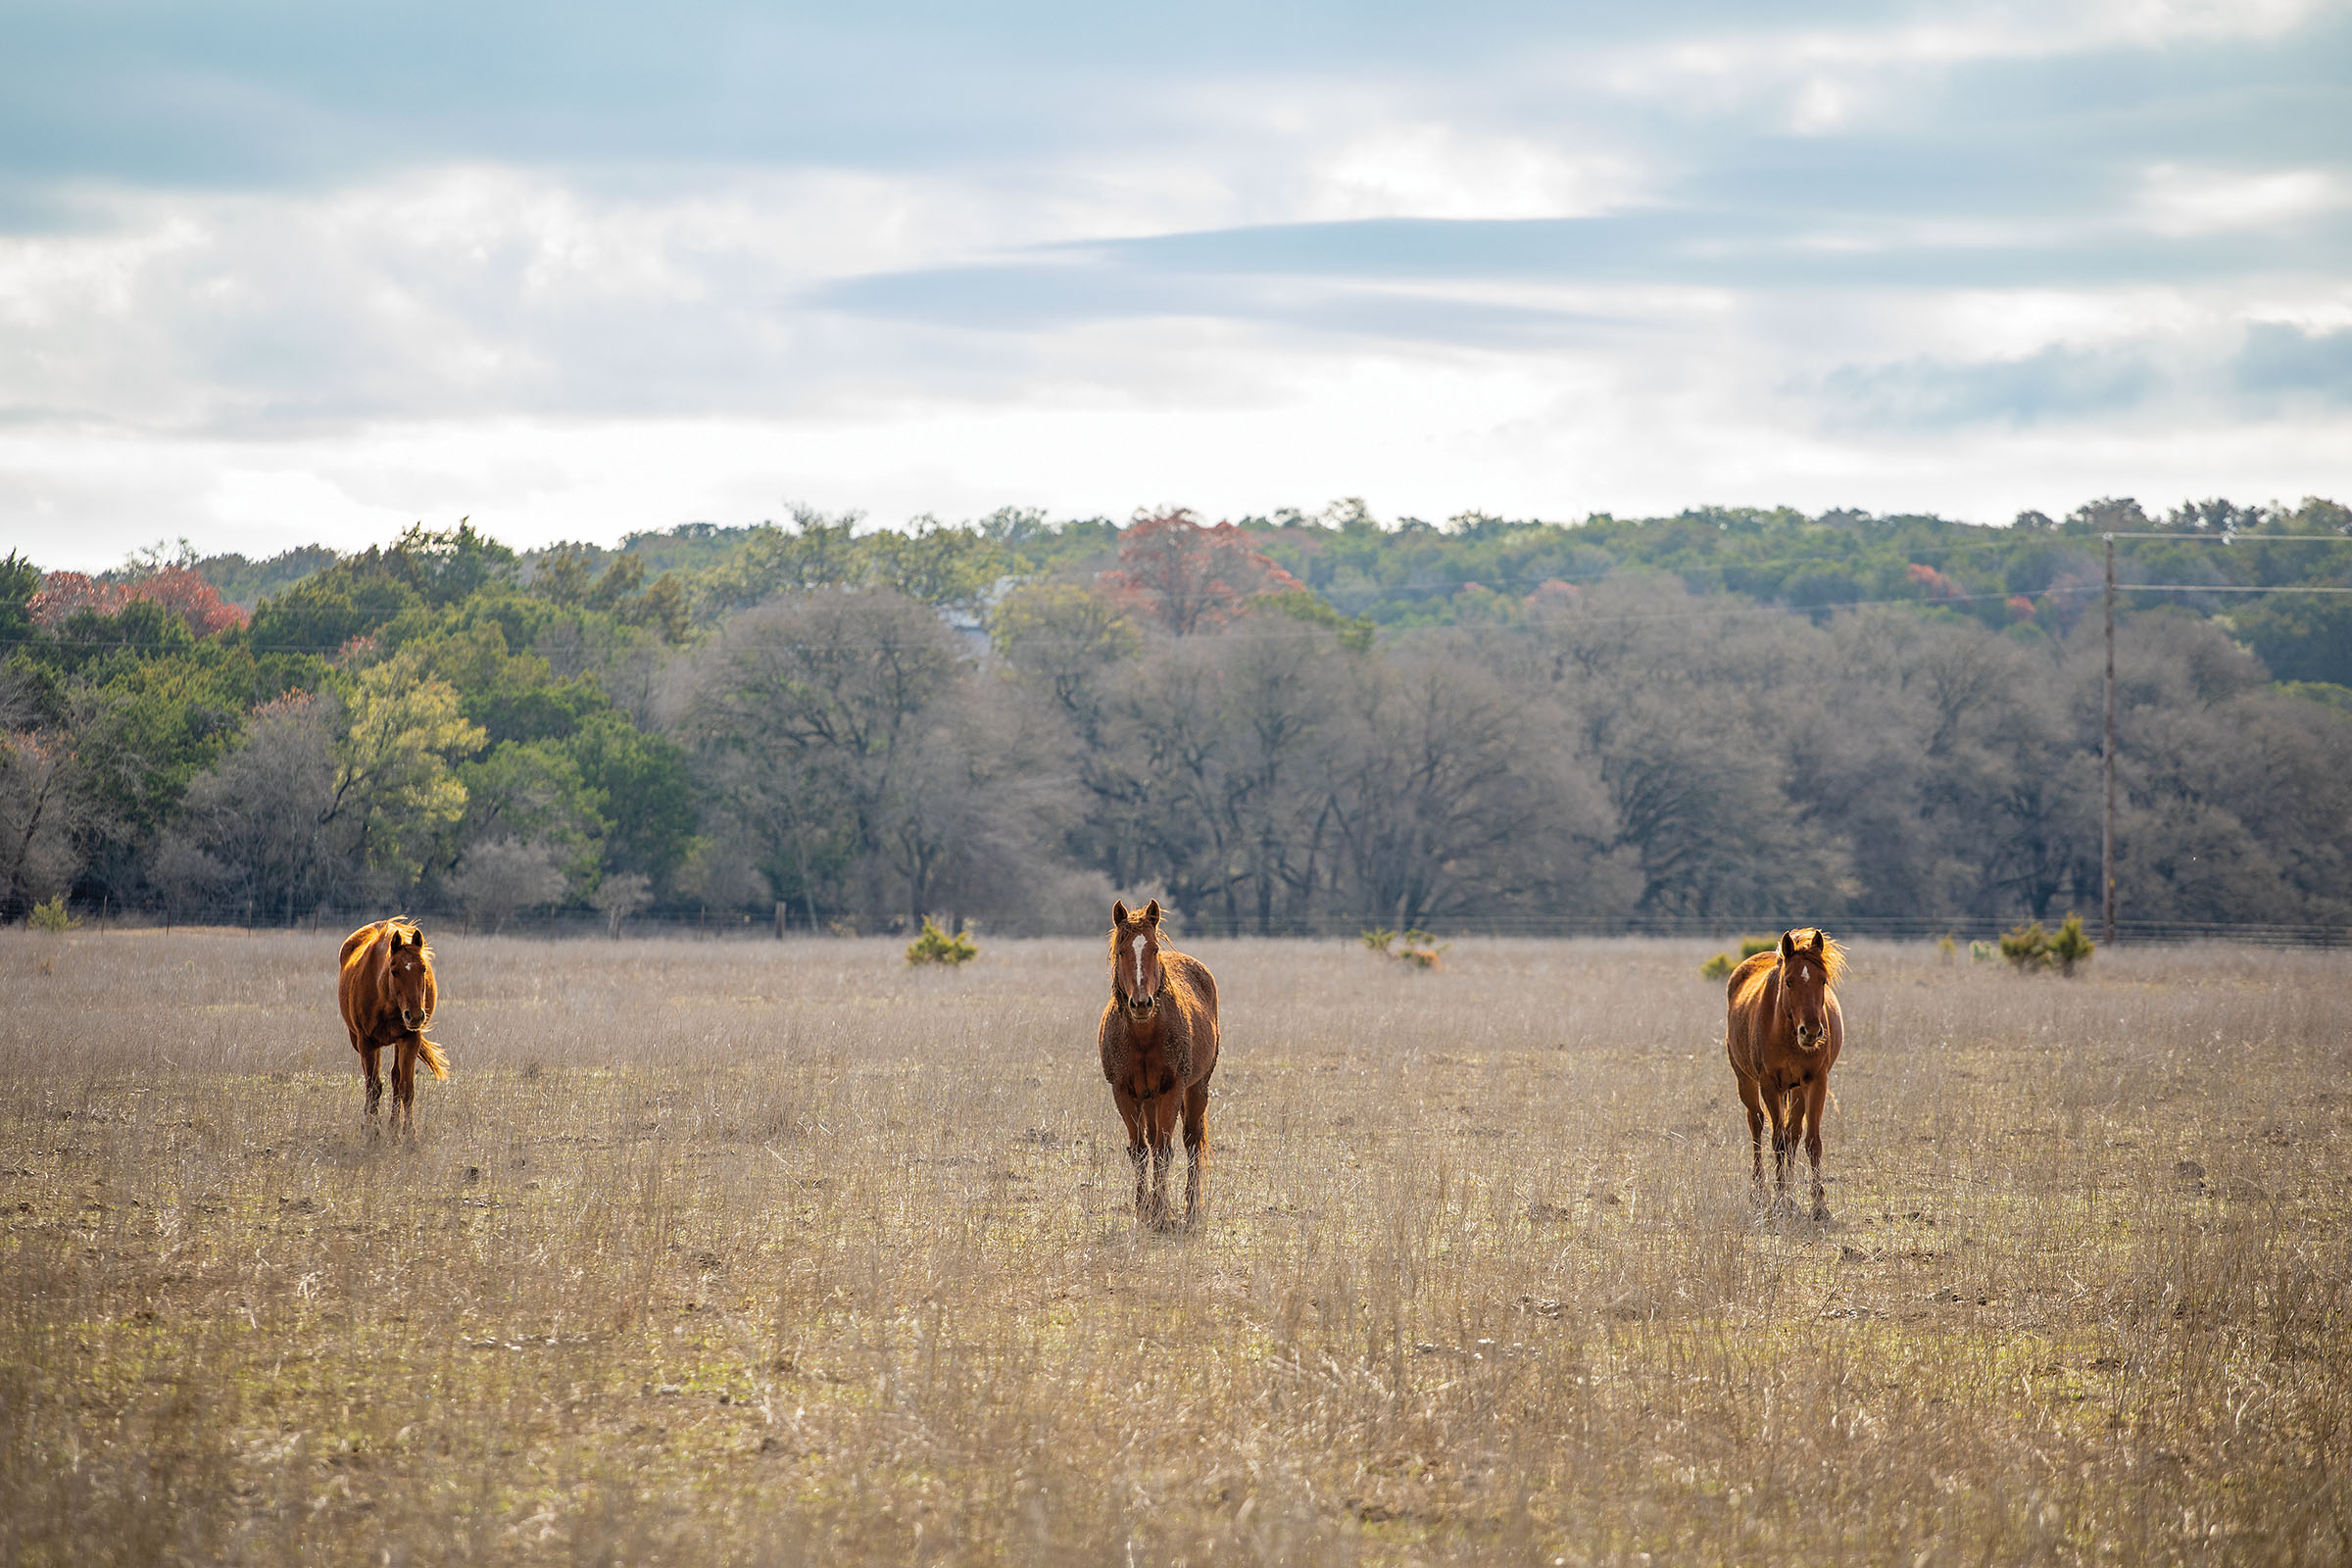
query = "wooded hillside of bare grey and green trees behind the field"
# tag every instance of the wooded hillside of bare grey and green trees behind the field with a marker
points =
(1278, 723)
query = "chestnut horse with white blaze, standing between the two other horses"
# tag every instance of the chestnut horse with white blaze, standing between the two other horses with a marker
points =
(1158, 1043)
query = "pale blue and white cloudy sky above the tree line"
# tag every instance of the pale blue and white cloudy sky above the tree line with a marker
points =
(281, 274)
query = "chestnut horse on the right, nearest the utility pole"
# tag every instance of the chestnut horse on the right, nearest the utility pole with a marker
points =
(1784, 1038)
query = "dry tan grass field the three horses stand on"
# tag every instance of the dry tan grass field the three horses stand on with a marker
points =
(726, 1252)
